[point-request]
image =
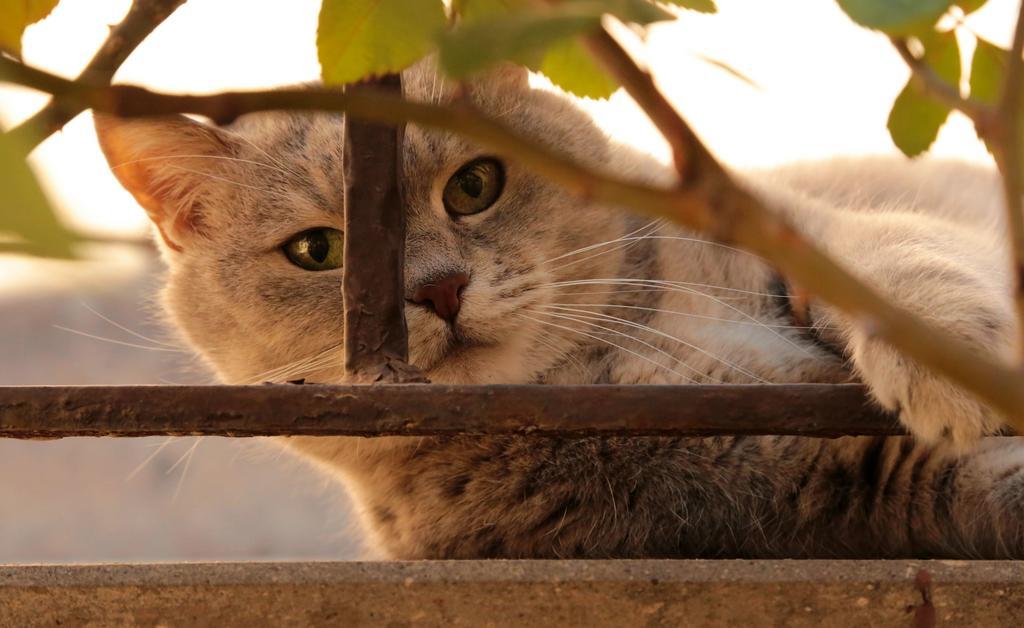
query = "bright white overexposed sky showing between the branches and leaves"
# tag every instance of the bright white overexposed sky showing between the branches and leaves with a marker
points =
(825, 85)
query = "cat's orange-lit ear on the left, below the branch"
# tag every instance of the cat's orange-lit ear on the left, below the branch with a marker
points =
(165, 163)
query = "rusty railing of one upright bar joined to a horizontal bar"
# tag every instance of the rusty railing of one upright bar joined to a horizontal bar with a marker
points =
(382, 400)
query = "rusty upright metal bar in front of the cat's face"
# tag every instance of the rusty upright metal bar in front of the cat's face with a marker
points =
(376, 339)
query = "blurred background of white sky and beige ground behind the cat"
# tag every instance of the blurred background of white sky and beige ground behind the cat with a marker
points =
(822, 88)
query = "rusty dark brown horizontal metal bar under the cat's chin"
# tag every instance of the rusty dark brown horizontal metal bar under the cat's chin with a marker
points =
(816, 410)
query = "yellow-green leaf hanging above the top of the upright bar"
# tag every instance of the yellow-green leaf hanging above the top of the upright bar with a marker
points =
(357, 39)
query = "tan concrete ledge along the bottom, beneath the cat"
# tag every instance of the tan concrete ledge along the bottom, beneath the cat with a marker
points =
(517, 593)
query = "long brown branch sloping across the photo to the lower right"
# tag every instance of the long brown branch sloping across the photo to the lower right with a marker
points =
(717, 206)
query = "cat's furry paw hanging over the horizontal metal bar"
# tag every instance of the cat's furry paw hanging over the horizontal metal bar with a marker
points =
(931, 408)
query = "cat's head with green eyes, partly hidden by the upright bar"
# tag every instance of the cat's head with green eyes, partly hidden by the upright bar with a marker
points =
(251, 217)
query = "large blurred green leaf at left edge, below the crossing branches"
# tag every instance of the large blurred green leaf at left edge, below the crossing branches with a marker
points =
(27, 222)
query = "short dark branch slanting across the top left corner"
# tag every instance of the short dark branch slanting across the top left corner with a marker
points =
(143, 18)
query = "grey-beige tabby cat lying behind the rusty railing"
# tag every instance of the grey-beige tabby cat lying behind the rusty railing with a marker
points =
(514, 280)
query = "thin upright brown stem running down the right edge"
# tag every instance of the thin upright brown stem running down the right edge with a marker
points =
(1007, 149)
